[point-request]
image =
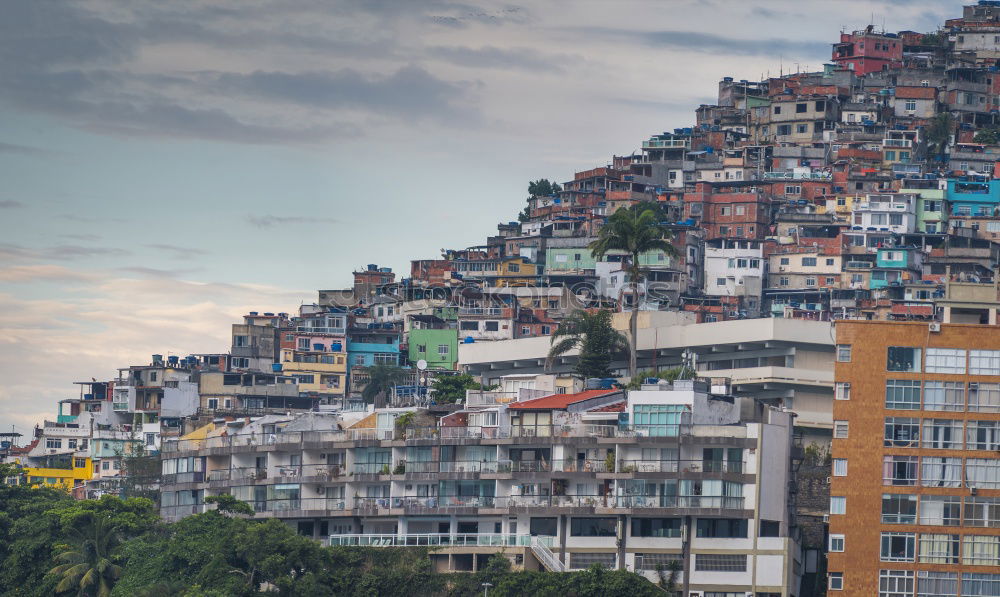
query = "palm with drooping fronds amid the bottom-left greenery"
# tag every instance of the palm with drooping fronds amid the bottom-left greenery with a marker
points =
(86, 565)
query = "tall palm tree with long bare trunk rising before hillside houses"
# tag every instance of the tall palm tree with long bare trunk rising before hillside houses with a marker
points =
(634, 230)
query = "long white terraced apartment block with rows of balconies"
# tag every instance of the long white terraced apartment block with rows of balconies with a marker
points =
(668, 473)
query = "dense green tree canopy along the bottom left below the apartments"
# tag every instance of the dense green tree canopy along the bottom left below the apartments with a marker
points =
(51, 544)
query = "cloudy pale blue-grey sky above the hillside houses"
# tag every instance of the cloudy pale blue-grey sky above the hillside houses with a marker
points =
(166, 167)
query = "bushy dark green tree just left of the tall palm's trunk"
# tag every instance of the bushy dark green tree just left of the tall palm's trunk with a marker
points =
(594, 336)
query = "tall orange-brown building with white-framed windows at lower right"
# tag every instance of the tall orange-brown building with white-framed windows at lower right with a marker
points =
(915, 490)
